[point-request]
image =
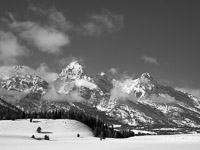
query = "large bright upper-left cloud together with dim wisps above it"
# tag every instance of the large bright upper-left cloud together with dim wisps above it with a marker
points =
(46, 29)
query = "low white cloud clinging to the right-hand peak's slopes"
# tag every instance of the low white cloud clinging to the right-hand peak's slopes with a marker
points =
(127, 87)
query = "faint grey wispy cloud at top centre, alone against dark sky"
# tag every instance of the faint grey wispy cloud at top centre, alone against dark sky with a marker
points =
(106, 21)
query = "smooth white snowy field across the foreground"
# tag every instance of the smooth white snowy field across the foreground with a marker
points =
(16, 135)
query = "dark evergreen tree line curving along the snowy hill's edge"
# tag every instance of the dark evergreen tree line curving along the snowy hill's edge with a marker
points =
(100, 128)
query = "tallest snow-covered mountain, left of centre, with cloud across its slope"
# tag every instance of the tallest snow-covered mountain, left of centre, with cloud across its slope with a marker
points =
(74, 77)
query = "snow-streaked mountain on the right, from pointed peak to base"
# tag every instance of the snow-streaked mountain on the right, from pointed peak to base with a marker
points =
(144, 102)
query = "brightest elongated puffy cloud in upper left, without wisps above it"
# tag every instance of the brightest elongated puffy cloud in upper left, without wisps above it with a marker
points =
(45, 38)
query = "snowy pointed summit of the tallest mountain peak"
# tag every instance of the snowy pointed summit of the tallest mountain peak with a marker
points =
(73, 71)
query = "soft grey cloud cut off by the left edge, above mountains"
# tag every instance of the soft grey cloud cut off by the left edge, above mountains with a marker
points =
(10, 48)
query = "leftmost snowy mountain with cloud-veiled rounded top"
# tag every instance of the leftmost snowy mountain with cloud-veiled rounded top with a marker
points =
(23, 79)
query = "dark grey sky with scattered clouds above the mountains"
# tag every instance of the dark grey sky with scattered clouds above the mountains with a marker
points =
(118, 37)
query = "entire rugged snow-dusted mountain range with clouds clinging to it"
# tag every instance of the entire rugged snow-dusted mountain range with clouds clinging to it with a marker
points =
(135, 102)
